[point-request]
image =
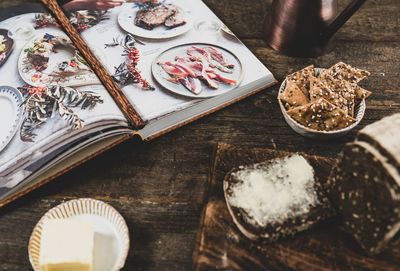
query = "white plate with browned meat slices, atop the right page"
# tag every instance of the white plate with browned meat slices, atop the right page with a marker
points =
(162, 21)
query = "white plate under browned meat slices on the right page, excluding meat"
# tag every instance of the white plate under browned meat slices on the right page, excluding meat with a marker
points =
(126, 20)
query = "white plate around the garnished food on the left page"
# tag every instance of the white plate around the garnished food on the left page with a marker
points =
(37, 78)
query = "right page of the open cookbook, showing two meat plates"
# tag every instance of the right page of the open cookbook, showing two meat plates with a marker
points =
(166, 55)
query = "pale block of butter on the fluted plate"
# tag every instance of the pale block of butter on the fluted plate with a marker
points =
(66, 245)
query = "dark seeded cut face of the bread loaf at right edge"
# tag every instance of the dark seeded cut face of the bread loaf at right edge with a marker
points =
(365, 189)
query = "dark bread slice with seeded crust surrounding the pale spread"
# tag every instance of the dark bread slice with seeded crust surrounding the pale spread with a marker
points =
(291, 222)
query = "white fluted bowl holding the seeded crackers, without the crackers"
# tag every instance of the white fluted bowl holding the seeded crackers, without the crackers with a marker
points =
(315, 134)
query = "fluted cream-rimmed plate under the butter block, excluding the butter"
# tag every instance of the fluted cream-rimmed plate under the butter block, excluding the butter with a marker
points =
(111, 244)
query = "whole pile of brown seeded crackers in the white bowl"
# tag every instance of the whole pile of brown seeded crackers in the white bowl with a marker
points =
(327, 101)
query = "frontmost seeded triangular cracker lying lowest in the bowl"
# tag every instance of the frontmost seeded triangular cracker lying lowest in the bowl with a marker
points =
(321, 115)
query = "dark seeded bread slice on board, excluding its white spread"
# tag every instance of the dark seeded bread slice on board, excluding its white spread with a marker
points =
(292, 224)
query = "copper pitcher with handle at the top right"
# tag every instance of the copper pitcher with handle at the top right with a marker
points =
(305, 28)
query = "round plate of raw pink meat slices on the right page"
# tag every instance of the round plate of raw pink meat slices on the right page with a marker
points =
(198, 70)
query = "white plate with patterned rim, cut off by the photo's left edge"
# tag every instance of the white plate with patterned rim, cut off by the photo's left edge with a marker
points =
(11, 114)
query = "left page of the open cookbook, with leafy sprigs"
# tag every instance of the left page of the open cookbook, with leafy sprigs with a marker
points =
(48, 94)
